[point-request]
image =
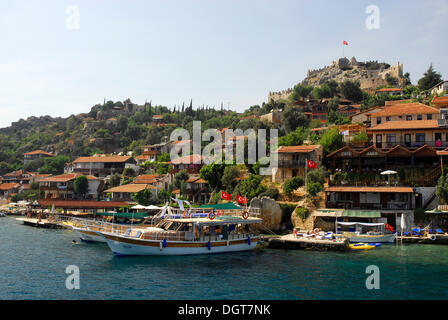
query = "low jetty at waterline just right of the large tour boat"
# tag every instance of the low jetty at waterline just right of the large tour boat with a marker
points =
(296, 243)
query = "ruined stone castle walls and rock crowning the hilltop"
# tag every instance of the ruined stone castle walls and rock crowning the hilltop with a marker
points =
(370, 74)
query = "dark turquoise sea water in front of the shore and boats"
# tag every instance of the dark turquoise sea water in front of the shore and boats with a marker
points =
(33, 263)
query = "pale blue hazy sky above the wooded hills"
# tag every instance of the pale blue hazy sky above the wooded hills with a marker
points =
(212, 51)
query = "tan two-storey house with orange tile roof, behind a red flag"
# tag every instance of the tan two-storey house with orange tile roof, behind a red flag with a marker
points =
(292, 161)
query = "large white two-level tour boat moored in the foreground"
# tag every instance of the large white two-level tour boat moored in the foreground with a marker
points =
(214, 233)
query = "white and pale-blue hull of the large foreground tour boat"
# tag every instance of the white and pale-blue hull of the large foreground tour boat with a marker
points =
(124, 246)
